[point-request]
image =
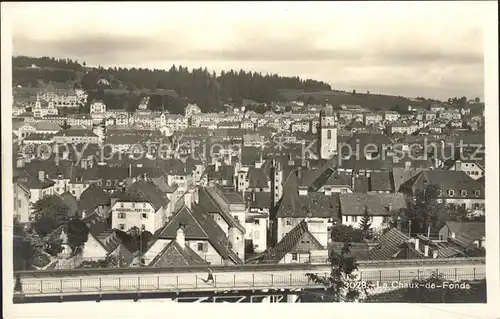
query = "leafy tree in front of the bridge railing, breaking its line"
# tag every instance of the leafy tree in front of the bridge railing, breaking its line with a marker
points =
(342, 284)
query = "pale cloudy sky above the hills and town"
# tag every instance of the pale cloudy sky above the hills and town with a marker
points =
(428, 49)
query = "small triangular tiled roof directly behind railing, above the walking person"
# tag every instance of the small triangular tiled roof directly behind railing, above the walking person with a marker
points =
(175, 255)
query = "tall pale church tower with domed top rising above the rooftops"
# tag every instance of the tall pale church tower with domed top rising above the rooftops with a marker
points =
(328, 132)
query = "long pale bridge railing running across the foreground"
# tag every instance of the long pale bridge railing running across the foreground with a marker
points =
(191, 282)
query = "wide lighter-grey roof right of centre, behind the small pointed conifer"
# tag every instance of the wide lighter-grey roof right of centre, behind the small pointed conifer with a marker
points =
(374, 204)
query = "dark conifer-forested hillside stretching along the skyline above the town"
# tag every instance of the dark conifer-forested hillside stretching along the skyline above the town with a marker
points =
(123, 87)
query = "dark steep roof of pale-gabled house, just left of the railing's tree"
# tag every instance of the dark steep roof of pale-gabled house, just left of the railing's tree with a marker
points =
(289, 243)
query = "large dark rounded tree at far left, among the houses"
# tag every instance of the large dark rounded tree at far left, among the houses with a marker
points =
(49, 213)
